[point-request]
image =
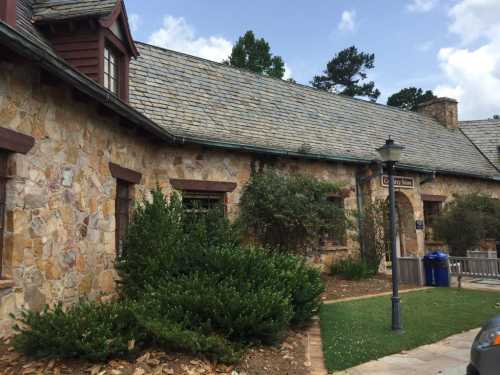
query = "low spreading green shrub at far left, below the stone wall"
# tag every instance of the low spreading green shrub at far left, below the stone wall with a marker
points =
(88, 330)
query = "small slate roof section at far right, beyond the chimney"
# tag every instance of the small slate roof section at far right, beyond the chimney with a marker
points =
(486, 136)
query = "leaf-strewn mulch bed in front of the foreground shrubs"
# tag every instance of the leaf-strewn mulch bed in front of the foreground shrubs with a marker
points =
(287, 358)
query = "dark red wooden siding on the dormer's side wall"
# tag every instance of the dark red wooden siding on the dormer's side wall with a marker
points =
(80, 50)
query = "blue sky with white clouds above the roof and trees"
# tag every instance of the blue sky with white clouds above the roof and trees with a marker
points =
(449, 46)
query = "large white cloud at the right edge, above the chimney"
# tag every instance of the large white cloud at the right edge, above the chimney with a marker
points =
(472, 73)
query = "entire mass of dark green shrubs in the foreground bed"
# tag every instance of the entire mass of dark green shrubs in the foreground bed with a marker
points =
(189, 285)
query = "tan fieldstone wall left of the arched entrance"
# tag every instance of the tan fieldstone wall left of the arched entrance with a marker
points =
(60, 240)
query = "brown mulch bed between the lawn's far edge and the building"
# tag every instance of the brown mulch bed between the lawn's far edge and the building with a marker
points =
(339, 288)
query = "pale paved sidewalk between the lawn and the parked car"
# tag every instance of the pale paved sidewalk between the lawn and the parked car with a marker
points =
(447, 357)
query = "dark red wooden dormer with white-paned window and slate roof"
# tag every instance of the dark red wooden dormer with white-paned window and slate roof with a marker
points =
(92, 36)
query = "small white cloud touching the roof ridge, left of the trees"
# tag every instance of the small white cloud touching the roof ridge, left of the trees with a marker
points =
(178, 35)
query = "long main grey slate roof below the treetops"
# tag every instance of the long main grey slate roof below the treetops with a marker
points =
(196, 98)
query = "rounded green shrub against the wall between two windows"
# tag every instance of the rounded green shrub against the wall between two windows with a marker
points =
(291, 212)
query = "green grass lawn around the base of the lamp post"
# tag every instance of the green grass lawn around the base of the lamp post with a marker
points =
(359, 331)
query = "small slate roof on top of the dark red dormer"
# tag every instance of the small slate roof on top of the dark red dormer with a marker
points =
(50, 10)
